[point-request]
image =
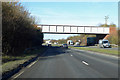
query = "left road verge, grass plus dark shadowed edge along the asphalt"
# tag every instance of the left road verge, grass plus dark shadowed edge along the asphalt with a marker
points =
(19, 64)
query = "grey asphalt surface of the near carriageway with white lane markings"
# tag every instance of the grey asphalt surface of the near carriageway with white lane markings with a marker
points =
(57, 62)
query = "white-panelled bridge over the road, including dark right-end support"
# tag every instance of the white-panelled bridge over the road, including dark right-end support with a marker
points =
(100, 32)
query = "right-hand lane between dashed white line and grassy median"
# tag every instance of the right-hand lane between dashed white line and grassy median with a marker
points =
(106, 65)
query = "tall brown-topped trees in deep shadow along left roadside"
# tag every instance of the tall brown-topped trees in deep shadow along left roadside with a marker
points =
(19, 29)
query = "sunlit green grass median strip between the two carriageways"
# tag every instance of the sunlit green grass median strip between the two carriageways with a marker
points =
(113, 52)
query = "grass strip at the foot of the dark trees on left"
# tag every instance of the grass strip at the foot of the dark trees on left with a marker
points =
(11, 62)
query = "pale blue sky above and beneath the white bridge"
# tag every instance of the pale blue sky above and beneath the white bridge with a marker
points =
(72, 13)
